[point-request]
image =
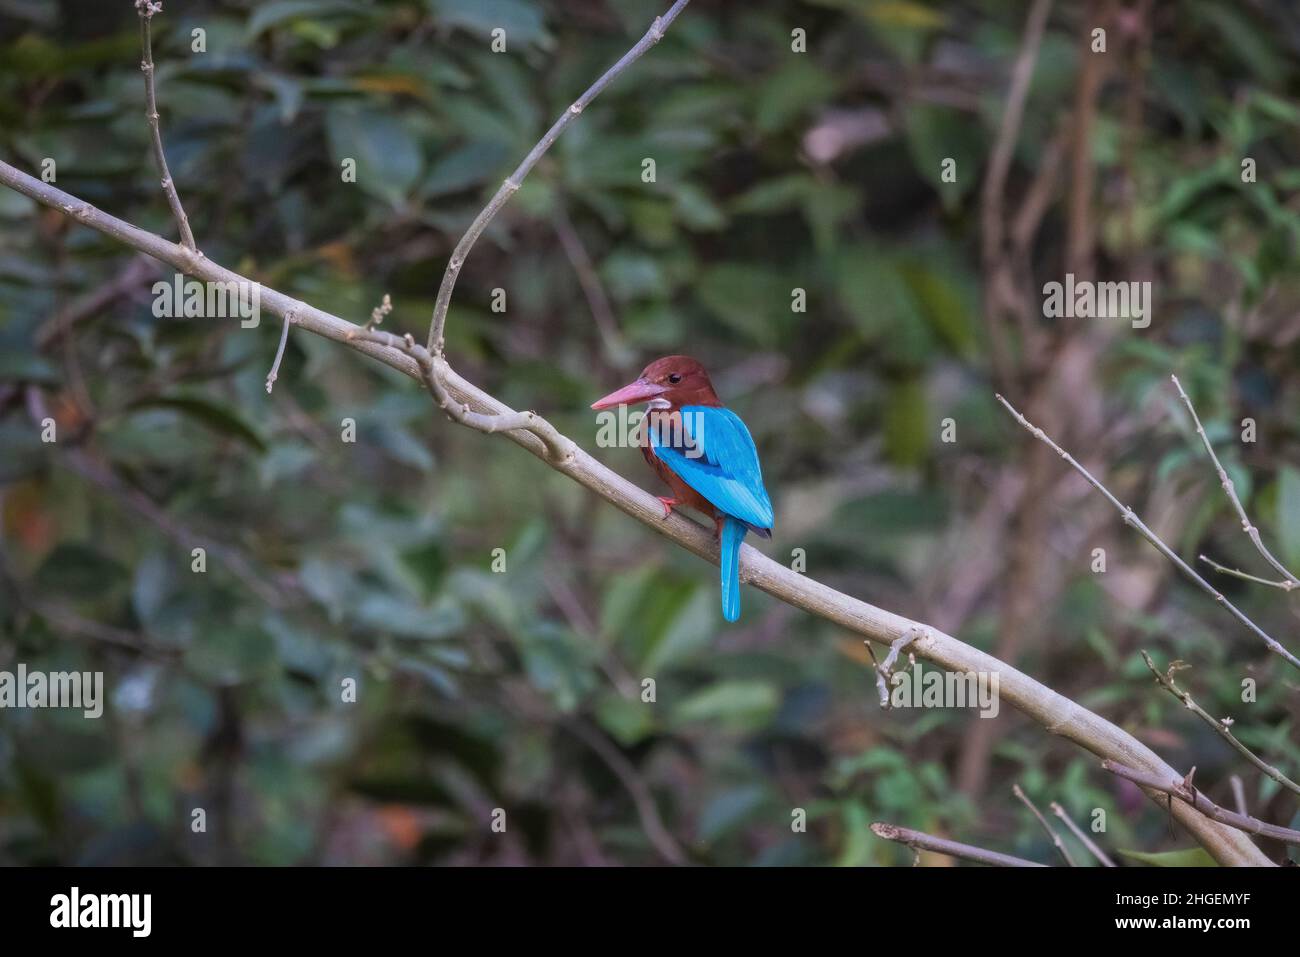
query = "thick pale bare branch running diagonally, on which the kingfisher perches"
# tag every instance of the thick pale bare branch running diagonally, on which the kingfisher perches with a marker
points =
(1055, 712)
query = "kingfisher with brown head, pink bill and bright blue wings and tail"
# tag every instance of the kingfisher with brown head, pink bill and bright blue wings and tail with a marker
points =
(705, 454)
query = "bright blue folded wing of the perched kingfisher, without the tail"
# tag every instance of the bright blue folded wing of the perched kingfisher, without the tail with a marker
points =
(718, 461)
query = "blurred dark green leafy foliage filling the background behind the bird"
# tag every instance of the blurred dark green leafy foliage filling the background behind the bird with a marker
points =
(376, 561)
